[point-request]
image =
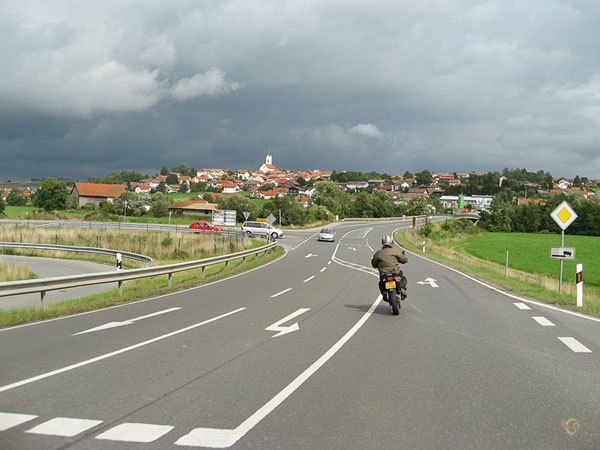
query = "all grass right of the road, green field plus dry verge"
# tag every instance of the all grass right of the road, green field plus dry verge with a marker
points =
(531, 273)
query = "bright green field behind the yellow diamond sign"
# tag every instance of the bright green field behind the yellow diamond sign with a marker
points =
(531, 253)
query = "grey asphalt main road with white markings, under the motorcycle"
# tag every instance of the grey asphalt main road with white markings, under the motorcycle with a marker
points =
(225, 366)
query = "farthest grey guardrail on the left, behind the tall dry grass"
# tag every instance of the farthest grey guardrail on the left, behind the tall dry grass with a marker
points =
(113, 226)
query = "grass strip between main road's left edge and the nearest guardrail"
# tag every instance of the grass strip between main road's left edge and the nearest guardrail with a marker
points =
(136, 290)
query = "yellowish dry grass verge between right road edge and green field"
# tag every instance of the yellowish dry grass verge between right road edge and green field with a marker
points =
(532, 286)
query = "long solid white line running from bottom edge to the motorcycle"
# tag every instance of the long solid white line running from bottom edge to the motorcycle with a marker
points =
(224, 438)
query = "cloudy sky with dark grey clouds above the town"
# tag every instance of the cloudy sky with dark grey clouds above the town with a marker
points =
(90, 88)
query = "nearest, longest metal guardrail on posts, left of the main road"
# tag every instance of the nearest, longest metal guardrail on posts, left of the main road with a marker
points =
(42, 285)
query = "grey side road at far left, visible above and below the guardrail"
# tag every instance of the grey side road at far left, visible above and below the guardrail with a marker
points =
(49, 267)
